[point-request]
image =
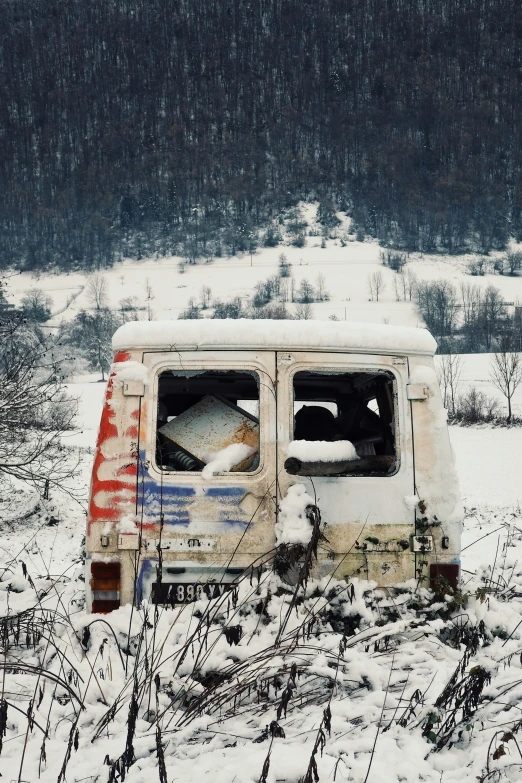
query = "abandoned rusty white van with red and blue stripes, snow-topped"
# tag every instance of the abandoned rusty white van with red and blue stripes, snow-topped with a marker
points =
(208, 424)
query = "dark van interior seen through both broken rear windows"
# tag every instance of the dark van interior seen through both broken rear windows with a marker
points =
(200, 413)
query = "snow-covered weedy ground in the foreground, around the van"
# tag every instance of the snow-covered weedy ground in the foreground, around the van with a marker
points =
(400, 659)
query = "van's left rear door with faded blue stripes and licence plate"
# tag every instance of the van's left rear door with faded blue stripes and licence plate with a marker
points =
(205, 407)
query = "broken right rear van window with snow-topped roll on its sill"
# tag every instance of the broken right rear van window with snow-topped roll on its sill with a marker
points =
(352, 408)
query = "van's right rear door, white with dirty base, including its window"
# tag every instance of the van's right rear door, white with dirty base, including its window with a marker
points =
(366, 501)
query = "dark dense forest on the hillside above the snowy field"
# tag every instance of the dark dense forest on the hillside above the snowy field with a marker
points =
(187, 126)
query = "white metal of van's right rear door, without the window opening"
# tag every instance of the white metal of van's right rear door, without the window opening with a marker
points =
(362, 514)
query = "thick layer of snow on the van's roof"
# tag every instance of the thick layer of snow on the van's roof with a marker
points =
(244, 334)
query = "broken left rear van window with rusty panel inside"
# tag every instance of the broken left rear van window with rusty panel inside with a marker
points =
(207, 418)
